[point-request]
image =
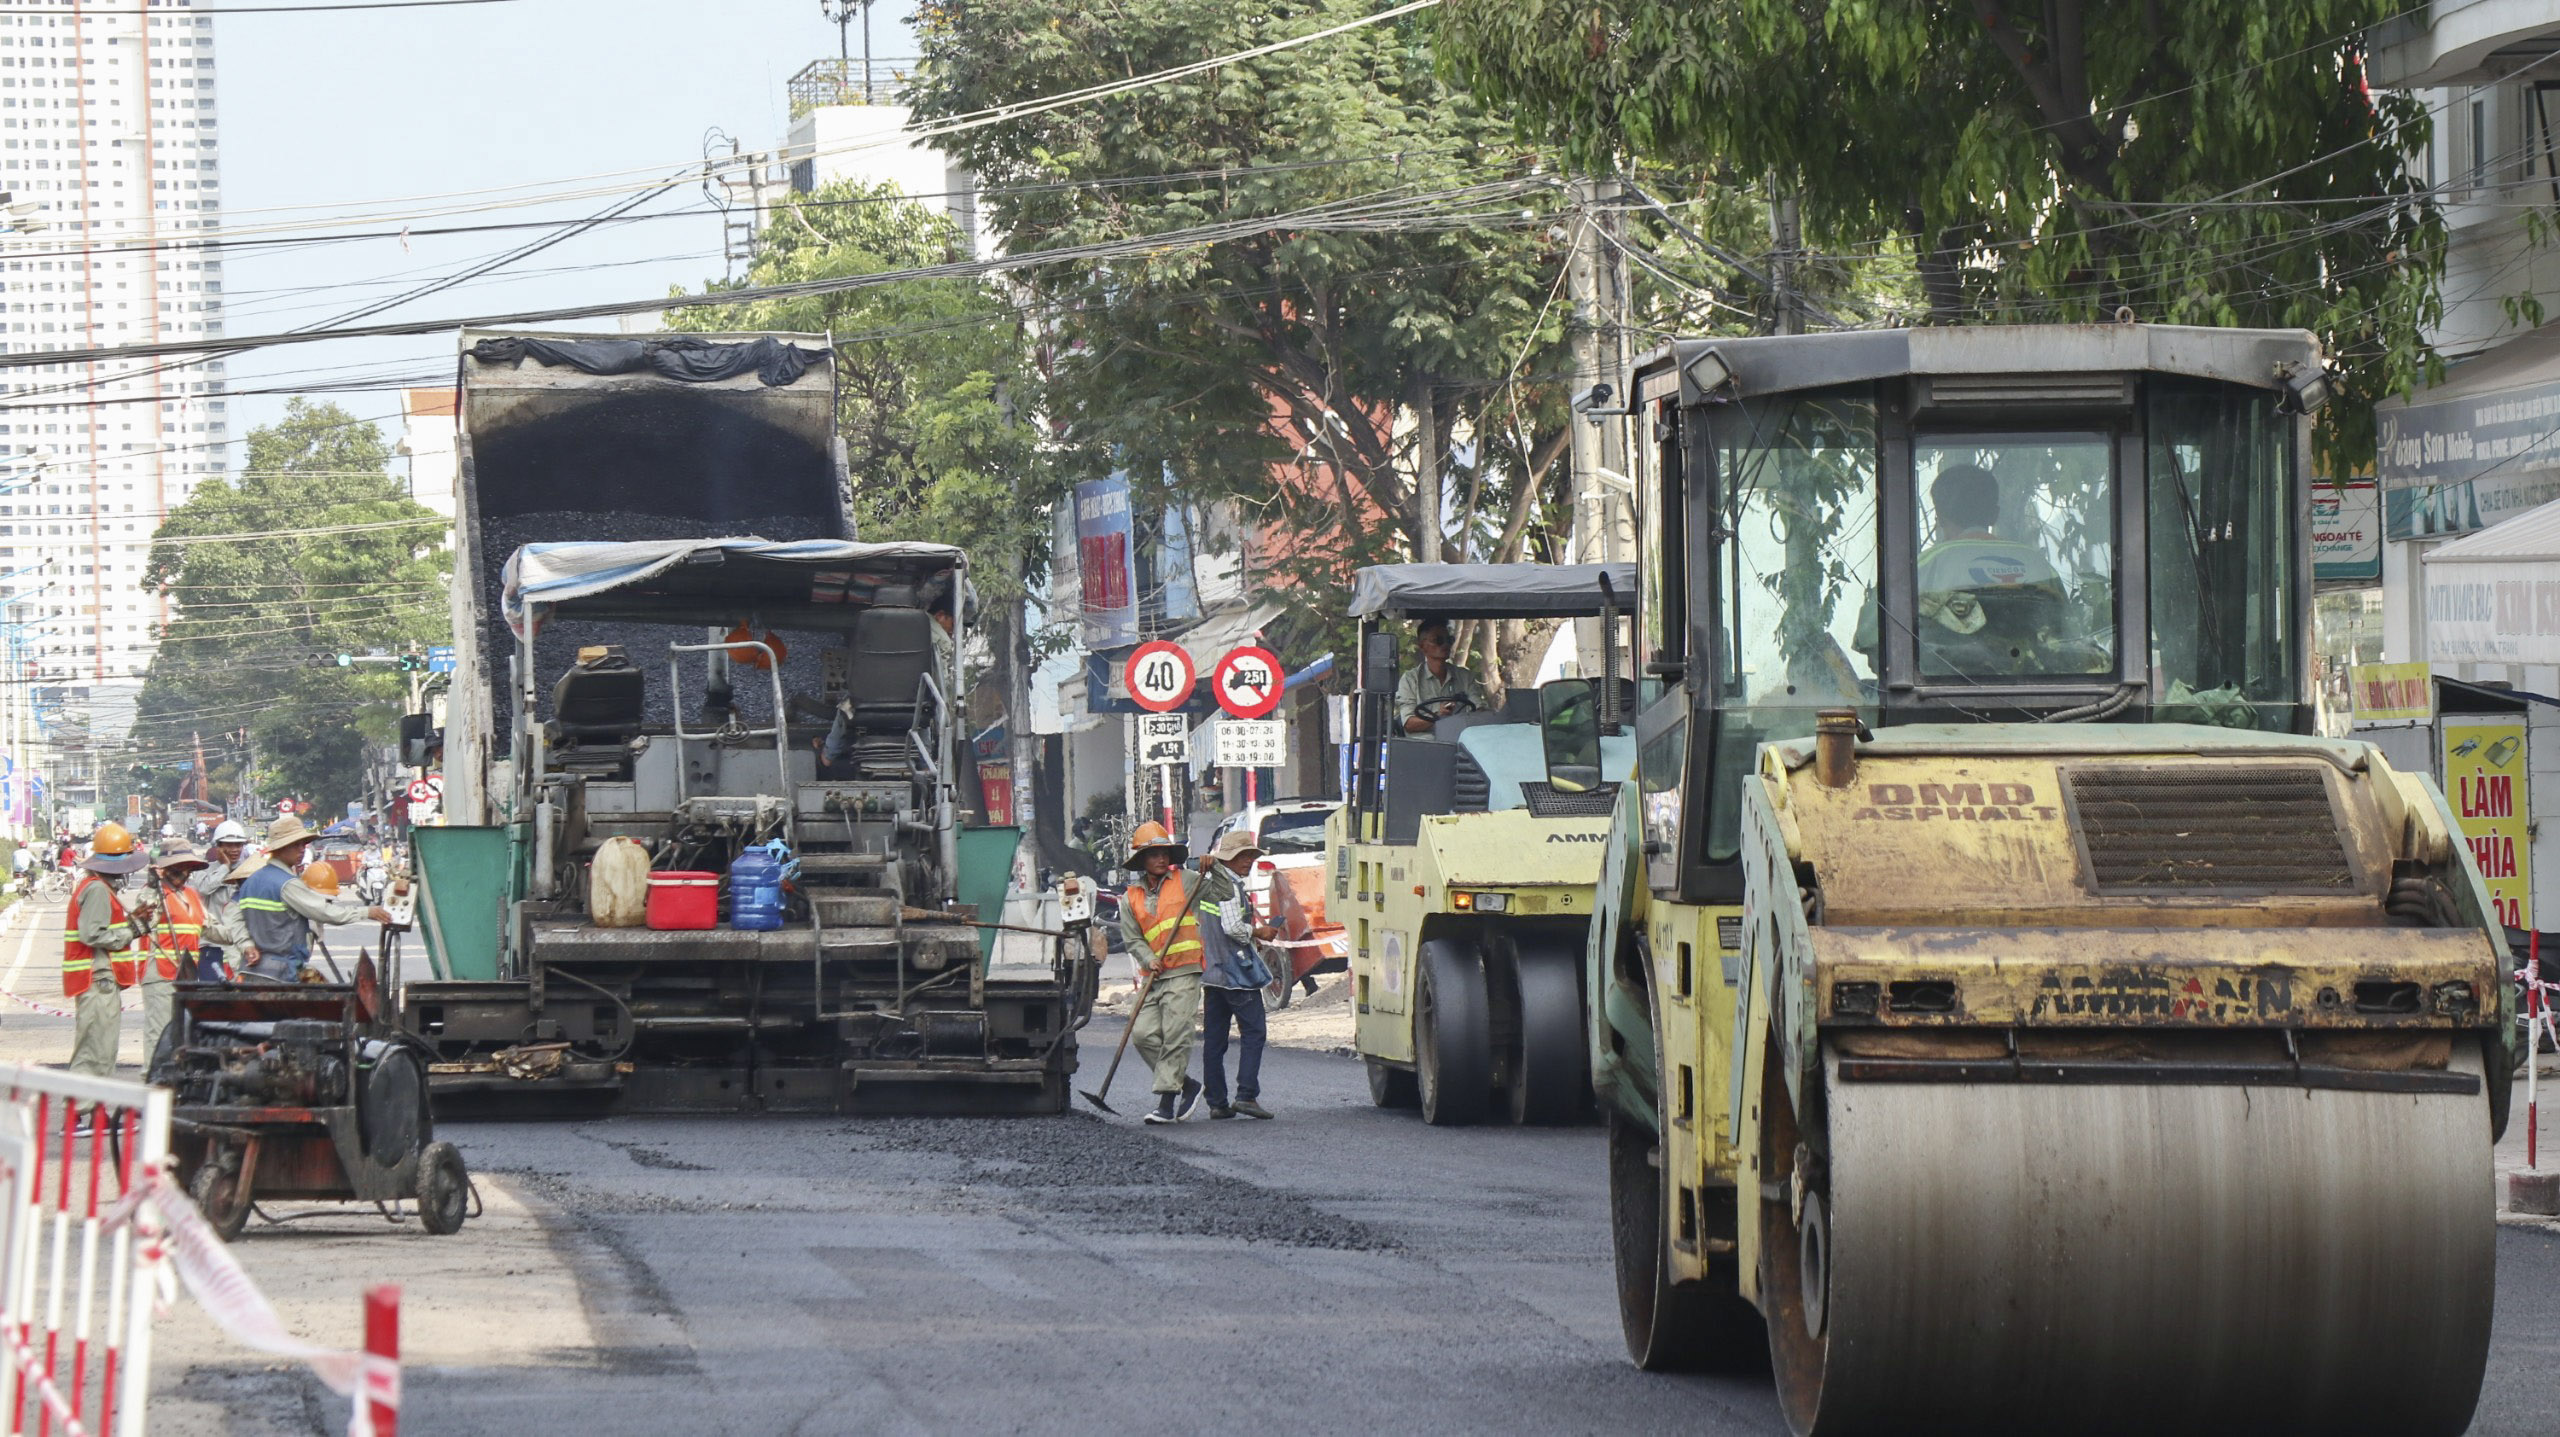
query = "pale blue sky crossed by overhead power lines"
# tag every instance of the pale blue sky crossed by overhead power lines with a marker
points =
(367, 109)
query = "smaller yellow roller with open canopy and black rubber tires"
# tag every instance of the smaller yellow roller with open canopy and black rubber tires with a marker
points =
(1466, 862)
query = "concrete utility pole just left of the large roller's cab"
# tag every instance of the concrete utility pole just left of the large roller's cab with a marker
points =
(1599, 442)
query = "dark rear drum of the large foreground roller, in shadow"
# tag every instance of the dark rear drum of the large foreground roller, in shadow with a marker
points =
(1670, 1328)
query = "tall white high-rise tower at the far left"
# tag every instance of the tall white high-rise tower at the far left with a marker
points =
(111, 170)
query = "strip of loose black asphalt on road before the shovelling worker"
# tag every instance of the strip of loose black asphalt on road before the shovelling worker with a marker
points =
(1082, 1167)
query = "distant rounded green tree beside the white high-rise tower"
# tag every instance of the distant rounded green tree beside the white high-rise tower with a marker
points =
(316, 549)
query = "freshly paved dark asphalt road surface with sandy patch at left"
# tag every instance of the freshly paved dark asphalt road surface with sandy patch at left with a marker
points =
(1338, 1269)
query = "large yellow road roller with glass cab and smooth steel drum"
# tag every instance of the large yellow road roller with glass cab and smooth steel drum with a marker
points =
(2008, 1013)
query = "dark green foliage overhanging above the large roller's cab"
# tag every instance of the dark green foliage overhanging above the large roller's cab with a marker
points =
(2200, 163)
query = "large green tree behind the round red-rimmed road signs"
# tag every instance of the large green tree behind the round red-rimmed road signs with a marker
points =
(1396, 334)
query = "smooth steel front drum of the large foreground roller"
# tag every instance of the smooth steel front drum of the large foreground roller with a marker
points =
(2141, 1259)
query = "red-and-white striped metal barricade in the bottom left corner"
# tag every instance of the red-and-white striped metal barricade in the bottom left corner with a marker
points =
(78, 1290)
